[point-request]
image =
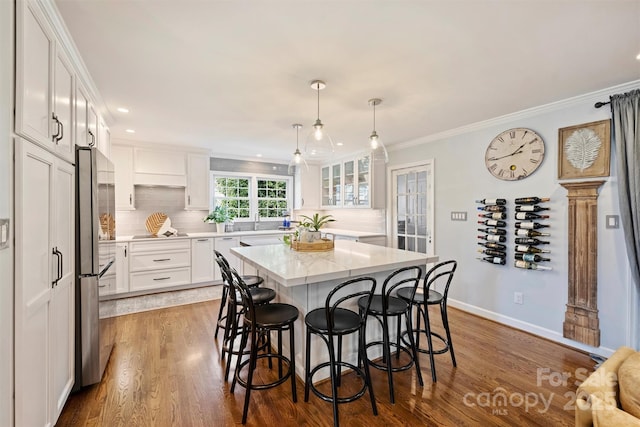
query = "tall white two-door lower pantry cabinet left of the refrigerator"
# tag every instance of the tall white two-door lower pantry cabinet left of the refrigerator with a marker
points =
(44, 284)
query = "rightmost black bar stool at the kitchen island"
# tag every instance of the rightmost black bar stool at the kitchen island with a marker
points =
(440, 273)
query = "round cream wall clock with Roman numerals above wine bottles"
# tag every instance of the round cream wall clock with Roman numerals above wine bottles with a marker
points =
(514, 154)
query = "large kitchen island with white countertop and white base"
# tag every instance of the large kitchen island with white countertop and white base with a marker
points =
(304, 279)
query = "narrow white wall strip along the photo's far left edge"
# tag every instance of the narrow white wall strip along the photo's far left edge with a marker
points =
(6, 193)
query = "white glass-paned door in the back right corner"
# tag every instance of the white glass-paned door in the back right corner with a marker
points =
(413, 208)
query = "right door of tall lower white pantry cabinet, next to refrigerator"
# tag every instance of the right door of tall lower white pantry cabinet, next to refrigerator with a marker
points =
(62, 302)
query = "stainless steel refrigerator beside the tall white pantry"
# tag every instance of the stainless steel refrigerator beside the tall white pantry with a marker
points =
(95, 255)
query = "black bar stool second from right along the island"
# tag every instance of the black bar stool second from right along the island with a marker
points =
(384, 307)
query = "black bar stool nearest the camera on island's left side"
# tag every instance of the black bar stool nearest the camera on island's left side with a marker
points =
(259, 319)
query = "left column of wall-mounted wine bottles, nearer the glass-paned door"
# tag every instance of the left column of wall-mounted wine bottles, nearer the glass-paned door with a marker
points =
(493, 228)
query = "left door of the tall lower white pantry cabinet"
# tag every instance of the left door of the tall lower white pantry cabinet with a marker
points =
(35, 271)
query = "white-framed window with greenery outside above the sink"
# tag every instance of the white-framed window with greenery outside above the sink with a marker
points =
(248, 196)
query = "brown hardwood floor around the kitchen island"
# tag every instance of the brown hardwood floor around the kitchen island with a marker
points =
(165, 370)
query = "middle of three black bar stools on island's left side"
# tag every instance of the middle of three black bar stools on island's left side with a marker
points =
(235, 309)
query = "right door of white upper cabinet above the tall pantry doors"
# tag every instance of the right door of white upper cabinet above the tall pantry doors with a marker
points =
(63, 91)
